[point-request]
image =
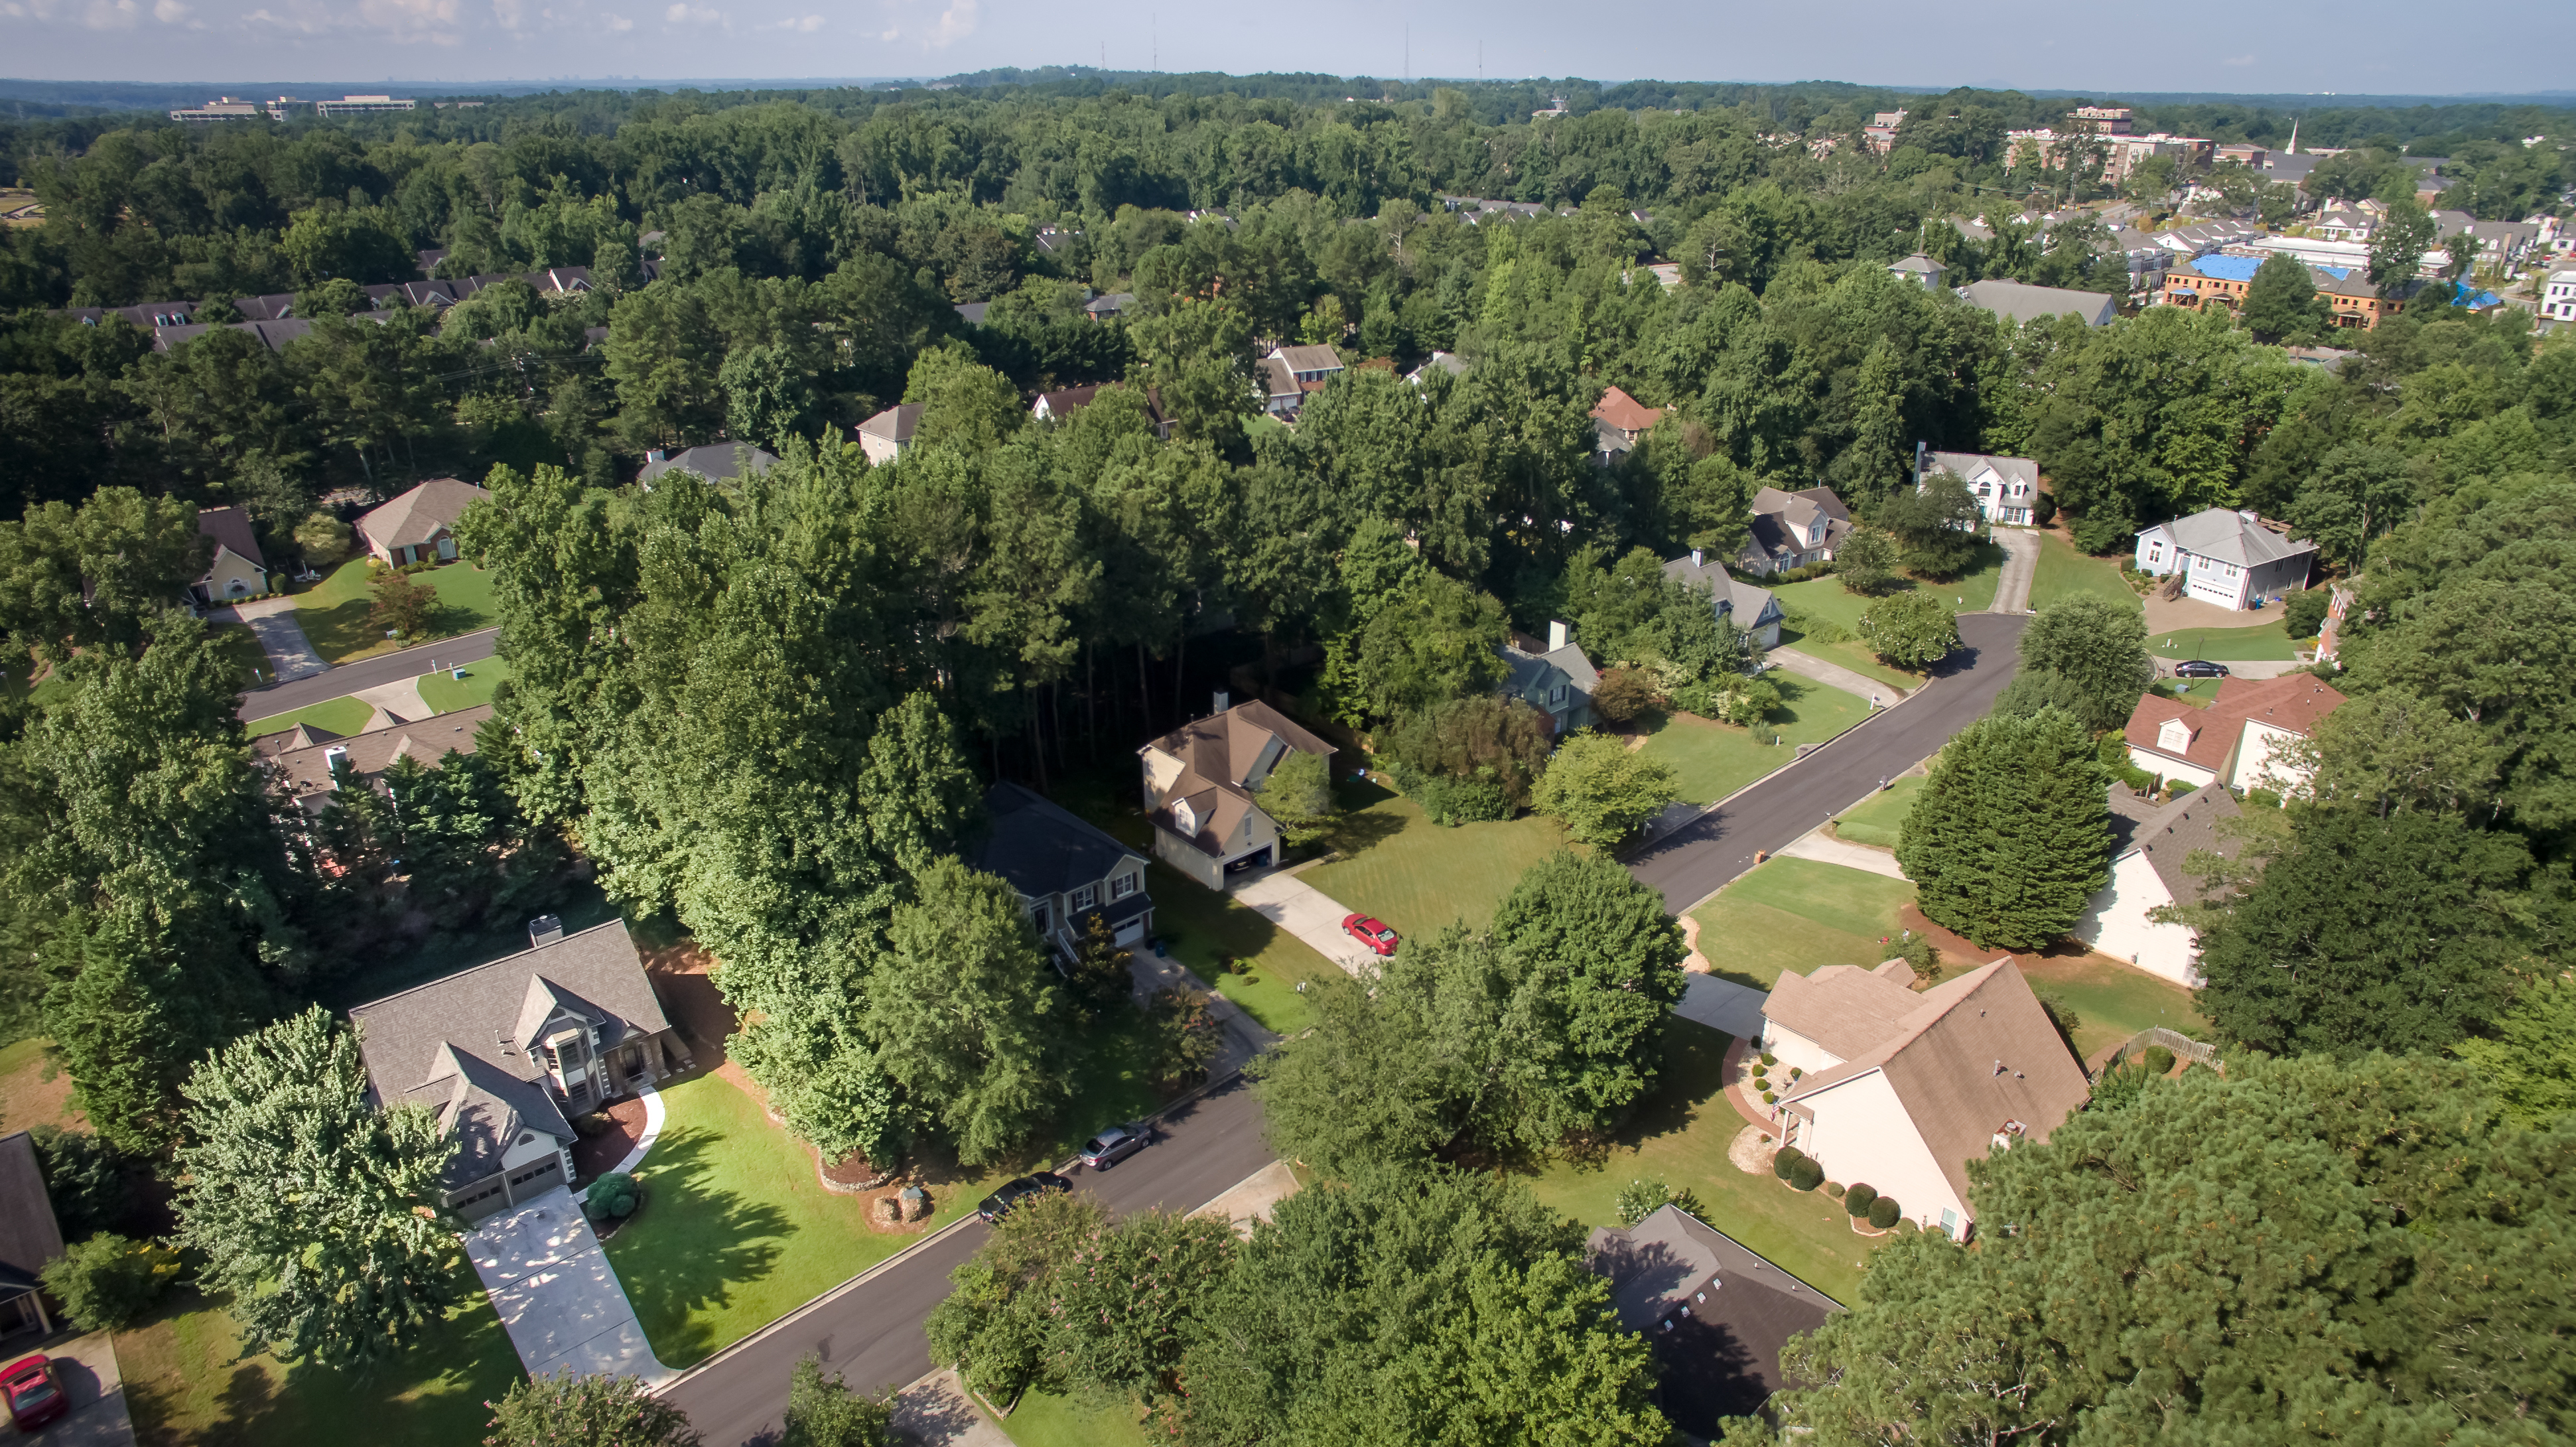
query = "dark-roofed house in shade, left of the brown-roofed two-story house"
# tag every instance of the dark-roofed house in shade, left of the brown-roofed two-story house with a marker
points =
(1063, 869)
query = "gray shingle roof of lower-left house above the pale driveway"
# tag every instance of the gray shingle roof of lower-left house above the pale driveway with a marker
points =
(462, 1044)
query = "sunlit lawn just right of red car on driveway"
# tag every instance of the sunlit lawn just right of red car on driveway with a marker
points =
(1421, 877)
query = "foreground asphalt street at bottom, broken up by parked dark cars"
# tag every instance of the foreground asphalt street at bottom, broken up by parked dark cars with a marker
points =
(872, 1330)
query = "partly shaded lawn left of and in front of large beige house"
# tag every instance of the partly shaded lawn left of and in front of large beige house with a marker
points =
(1681, 1134)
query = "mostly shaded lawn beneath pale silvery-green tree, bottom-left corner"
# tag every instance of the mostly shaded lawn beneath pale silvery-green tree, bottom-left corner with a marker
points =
(189, 1384)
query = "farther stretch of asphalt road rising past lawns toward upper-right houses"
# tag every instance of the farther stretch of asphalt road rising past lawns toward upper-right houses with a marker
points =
(1696, 861)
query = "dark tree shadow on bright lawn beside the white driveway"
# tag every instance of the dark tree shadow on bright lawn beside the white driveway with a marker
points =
(694, 1242)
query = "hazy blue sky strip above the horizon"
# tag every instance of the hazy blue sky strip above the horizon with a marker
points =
(2263, 48)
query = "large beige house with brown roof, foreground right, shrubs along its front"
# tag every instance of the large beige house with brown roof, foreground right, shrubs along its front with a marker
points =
(1902, 1090)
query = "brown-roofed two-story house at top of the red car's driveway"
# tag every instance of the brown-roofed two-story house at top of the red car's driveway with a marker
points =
(1202, 789)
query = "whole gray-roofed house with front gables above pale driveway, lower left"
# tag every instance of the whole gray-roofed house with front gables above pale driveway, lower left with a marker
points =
(509, 1054)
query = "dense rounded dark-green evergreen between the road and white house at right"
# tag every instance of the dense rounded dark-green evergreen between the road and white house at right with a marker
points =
(2011, 833)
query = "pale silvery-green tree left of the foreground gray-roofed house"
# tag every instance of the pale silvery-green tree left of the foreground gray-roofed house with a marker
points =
(313, 1209)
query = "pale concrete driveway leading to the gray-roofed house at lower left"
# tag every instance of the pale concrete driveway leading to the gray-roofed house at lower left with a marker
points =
(558, 1296)
